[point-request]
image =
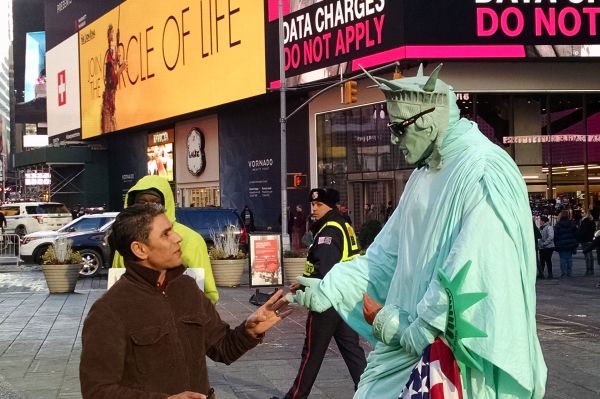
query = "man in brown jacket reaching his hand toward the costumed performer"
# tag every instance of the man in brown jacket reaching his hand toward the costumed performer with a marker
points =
(148, 336)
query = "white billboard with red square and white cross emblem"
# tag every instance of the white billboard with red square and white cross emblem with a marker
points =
(62, 86)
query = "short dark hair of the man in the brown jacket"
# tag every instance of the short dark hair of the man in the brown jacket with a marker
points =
(133, 224)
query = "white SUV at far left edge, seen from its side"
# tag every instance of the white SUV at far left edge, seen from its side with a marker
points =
(28, 217)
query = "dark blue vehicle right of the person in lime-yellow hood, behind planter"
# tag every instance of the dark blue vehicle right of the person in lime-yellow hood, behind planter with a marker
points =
(212, 220)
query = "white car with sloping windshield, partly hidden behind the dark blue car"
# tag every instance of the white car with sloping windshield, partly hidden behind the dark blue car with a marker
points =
(34, 245)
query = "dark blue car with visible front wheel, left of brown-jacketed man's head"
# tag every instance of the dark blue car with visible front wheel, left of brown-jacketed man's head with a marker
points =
(94, 249)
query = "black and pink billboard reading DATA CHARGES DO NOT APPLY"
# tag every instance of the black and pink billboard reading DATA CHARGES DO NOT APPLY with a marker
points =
(324, 38)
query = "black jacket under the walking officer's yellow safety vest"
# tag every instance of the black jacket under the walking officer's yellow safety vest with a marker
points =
(328, 244)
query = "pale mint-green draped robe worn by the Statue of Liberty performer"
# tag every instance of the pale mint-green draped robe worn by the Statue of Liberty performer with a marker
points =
(474, 208)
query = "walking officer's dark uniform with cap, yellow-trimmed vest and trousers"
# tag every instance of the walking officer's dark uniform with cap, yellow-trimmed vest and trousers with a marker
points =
(334, 241)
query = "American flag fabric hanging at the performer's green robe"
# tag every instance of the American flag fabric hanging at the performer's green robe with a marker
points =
(436, 375)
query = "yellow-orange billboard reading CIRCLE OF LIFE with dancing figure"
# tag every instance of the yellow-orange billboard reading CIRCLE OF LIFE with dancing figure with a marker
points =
(181, 57)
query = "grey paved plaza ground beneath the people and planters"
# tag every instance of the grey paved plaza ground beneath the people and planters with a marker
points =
(40, 341)
